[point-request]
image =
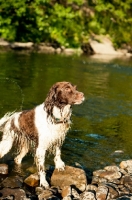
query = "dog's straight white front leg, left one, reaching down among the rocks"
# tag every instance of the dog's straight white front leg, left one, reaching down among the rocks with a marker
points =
(40, 159)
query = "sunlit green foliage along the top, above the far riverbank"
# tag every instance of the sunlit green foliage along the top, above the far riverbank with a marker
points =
(65, 22)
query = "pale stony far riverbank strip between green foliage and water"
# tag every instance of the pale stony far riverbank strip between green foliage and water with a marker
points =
(99, 45)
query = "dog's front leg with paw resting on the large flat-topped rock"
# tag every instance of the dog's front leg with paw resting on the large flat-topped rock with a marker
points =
(59, 164)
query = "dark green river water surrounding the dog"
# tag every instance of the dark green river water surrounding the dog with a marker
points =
(101, 125)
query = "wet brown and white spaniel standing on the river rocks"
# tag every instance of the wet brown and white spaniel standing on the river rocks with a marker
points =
(46, 126)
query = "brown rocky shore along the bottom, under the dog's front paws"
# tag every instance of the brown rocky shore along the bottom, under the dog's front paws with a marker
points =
(74, 183)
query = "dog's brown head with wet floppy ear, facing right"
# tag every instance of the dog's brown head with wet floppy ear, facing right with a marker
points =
(62, 94)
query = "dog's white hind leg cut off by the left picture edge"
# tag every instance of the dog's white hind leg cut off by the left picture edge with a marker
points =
(6, 143)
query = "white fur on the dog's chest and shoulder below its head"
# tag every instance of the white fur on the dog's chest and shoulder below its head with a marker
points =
(51, 133)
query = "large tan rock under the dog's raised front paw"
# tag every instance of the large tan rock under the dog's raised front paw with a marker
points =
(70, 176)
